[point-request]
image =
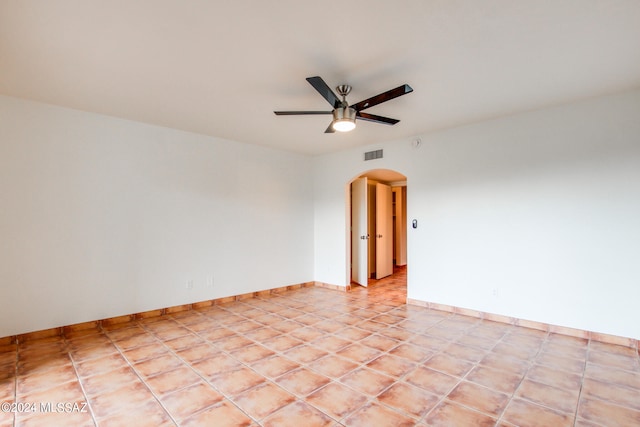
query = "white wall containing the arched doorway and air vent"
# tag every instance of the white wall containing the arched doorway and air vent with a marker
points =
(535, 216)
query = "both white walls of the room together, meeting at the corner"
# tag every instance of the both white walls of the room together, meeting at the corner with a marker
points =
(101, 217)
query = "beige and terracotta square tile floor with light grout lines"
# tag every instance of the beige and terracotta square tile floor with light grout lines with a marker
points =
(314, 356)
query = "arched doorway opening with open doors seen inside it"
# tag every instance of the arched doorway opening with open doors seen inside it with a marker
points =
(377, 226)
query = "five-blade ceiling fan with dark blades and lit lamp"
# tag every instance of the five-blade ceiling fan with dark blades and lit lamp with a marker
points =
(344, 115)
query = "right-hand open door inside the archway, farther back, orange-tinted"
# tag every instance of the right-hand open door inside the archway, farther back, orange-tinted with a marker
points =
(384, 231)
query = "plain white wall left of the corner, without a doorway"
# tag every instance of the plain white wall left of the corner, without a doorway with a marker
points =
(101, 217)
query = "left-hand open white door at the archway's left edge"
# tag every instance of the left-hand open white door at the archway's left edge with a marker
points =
(359, 236)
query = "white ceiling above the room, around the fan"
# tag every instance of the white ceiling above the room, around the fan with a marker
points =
(221, 67)
